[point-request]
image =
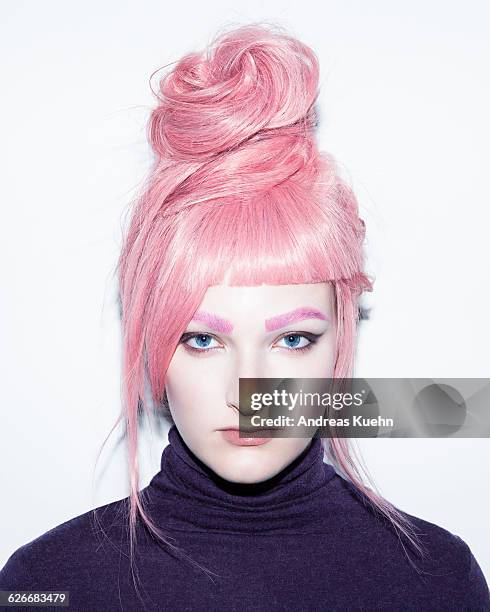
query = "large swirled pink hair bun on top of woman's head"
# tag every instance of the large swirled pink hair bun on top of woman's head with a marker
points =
(250, 79)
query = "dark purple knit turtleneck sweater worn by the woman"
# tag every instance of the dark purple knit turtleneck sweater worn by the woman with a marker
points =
(300, 541)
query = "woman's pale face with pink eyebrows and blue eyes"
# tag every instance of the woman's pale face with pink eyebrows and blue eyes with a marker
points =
(265, 331)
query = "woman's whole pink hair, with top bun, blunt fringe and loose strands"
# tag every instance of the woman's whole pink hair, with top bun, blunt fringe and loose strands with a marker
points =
(238, 193)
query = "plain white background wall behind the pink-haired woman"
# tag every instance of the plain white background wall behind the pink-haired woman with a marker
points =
(403, 107)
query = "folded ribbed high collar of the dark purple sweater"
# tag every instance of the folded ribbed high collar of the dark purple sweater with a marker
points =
(187, 495)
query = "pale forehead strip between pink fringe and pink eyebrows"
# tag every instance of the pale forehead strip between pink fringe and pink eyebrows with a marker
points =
(261, 302)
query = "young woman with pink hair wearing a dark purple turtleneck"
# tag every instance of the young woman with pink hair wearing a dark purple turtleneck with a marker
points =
(243, 258)
